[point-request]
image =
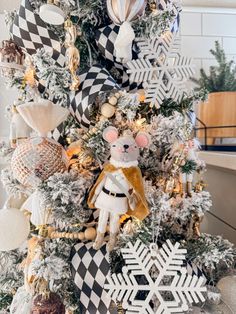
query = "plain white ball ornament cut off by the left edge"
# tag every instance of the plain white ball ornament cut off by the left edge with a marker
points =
(14, 229)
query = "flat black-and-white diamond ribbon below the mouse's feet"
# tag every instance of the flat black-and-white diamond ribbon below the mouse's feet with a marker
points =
(90, 269)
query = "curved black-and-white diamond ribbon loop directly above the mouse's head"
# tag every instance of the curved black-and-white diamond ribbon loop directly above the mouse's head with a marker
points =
(93, 82)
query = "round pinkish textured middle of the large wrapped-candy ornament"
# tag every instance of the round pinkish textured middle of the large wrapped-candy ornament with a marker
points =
(36, 159)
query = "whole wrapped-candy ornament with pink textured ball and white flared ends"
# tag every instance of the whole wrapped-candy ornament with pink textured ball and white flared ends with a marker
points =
(38, 158)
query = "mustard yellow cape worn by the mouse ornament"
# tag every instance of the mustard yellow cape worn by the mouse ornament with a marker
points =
(134, 177)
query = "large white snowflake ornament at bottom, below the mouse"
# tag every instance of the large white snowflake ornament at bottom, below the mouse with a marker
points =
(171, 287)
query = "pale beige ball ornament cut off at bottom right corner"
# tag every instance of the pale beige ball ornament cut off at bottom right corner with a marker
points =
(227, 287)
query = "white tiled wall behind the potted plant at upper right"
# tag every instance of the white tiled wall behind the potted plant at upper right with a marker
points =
(201, 27)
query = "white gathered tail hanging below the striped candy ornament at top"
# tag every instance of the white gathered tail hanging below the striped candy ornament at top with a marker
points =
(123, 43)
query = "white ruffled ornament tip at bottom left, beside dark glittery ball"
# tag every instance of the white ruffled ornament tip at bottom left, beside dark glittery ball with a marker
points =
(22, 302)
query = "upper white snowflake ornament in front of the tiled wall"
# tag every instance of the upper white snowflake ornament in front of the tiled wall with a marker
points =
(161, 68)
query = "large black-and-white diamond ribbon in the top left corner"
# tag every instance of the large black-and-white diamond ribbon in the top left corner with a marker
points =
(31, 33)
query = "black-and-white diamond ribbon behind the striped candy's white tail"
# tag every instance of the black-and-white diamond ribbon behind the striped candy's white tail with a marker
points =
(105, 38)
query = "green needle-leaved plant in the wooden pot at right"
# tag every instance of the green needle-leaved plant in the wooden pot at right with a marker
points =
(222, 77)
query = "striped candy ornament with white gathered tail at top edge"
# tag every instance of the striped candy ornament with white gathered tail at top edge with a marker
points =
(122, 12)
